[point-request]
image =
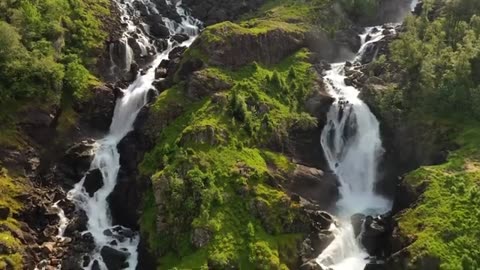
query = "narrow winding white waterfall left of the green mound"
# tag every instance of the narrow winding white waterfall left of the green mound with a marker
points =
(107, 158)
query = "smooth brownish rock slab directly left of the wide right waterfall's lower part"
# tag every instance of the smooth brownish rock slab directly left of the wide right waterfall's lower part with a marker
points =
(315, 185)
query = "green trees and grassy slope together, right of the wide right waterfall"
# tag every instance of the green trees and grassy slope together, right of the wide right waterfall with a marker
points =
(431, 75)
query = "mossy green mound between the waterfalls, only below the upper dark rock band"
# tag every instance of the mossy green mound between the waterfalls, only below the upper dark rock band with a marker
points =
(210, 170)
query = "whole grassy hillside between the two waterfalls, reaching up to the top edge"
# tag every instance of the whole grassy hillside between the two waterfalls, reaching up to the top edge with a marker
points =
(215, 201)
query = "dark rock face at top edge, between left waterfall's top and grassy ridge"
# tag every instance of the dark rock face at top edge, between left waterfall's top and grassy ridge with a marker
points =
(213, 11)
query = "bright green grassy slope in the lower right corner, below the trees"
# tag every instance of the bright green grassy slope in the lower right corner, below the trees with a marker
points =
(445, 223)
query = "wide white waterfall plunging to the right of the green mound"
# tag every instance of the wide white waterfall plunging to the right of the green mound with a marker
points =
(353, 147)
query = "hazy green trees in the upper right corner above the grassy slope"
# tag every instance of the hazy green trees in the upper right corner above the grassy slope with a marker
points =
(438, 61)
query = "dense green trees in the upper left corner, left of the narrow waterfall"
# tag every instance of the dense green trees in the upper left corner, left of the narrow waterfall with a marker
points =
(46, 48)
